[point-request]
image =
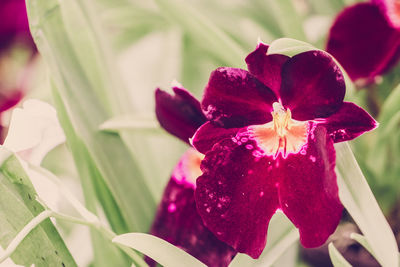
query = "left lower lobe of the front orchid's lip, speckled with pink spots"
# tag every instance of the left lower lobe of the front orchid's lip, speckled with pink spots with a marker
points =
(236, 195)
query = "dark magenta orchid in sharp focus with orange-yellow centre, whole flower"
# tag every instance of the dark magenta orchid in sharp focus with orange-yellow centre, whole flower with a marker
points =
(269, 146)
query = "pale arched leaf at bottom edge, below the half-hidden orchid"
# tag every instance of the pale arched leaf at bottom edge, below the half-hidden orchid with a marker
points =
(158, 249)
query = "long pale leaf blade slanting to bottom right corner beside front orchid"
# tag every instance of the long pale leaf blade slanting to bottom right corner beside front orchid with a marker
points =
(359, 201)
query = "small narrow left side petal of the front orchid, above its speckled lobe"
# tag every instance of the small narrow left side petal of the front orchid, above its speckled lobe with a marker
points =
(209, 134)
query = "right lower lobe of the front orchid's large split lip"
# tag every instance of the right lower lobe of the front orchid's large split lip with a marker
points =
(308, 190)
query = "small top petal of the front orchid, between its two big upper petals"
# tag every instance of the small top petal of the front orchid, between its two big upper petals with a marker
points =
(266, 68)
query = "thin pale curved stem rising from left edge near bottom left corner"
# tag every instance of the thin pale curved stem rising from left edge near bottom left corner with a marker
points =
(24, 232)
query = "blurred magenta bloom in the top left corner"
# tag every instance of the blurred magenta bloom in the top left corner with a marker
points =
(14, 25)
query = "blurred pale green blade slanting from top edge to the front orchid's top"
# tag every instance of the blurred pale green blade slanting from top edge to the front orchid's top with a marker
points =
(204, 31)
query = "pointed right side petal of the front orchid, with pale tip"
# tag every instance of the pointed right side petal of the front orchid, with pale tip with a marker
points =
(348, 123)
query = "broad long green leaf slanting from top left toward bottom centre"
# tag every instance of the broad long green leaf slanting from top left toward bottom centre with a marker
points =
(85, 79)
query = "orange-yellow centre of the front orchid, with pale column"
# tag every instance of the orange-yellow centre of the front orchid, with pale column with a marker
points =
(282, 135)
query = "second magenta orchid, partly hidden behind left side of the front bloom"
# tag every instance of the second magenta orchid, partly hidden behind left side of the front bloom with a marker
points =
(177, 220)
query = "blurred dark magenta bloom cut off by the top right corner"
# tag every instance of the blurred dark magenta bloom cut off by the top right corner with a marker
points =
(365, 38)
